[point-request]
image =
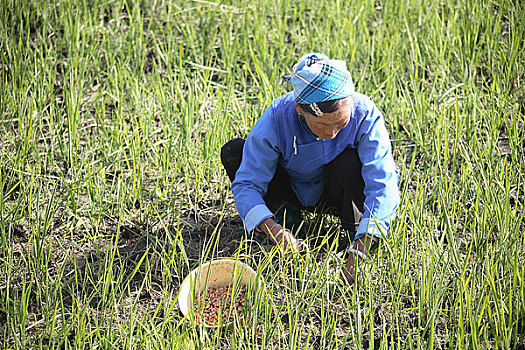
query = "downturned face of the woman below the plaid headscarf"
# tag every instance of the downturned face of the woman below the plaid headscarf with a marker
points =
(328, 125)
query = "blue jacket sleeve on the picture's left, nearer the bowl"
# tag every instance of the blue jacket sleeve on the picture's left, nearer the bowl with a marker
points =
(259, 162)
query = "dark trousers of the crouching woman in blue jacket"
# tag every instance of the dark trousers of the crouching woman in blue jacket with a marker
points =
(343, 192)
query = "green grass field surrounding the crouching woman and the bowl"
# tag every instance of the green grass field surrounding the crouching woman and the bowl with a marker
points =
(112, 115)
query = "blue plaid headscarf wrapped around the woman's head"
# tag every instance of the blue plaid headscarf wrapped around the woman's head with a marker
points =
(316, 78)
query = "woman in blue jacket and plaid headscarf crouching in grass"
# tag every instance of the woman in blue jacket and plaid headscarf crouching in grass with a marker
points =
(321, 145)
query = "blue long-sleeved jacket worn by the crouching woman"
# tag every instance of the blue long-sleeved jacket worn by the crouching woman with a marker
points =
(281, 136)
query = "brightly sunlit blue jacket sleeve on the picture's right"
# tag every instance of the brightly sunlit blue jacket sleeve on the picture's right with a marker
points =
(379, 172)
